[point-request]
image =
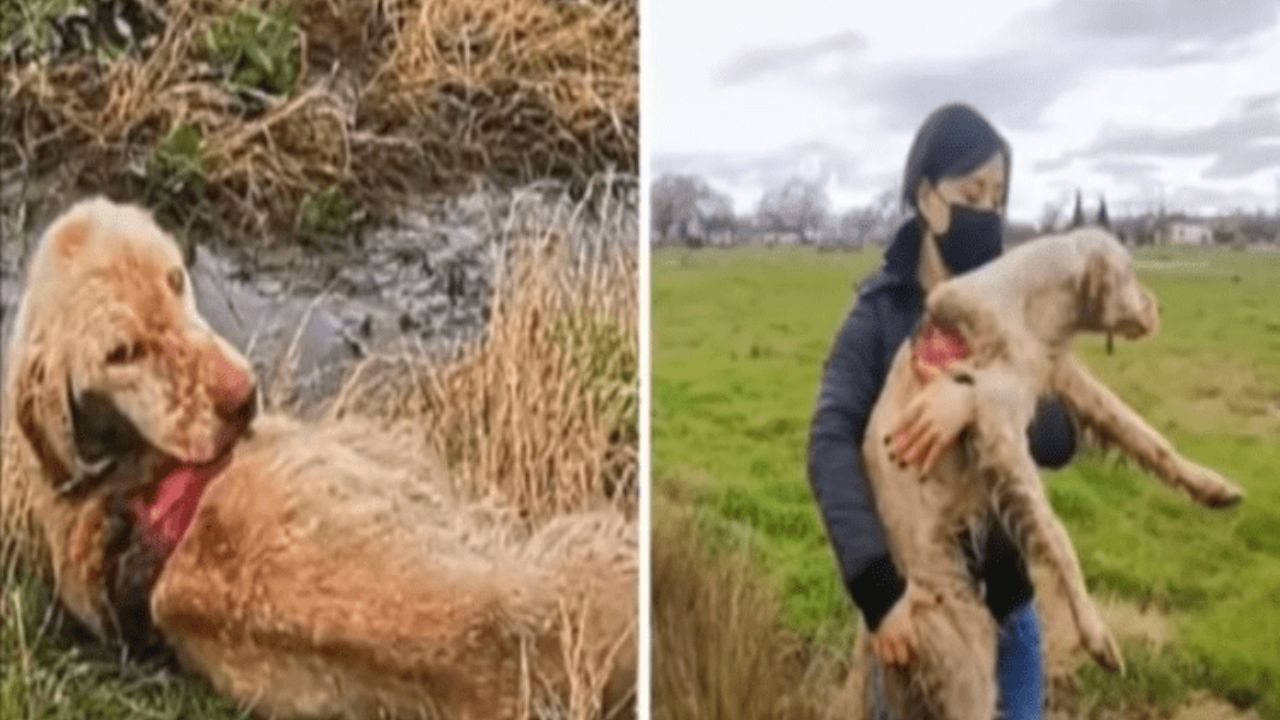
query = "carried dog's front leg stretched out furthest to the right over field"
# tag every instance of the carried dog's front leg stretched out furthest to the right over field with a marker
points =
(1100, 409)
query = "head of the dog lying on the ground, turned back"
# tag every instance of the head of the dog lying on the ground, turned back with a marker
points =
(113, 362)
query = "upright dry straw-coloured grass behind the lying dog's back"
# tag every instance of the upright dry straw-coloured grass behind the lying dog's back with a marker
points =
(540, 413)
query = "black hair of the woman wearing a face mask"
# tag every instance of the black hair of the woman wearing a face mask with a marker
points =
(954, 140)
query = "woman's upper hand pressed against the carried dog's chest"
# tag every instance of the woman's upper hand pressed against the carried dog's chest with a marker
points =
(932, 422)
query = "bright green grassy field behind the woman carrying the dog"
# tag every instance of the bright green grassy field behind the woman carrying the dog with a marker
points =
(739, 339)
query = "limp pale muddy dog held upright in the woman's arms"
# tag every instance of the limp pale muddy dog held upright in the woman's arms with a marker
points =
(1013, 322)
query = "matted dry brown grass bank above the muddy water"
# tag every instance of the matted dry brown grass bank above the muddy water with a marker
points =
(395, 98)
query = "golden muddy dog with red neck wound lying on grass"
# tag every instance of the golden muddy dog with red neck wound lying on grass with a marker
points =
(307, 571)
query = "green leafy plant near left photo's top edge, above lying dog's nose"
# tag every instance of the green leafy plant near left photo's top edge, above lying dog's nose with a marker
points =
(257, 51)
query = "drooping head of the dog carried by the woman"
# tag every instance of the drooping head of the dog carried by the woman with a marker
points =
(1112, 298)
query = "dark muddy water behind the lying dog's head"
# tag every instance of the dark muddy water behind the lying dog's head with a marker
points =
(420, 284)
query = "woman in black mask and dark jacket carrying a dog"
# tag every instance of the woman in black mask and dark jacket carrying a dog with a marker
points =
(957, 186)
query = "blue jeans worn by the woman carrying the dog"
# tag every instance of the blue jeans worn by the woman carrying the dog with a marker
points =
(1018, 671)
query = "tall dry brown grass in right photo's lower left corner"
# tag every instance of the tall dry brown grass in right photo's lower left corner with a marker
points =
(720, 648)
